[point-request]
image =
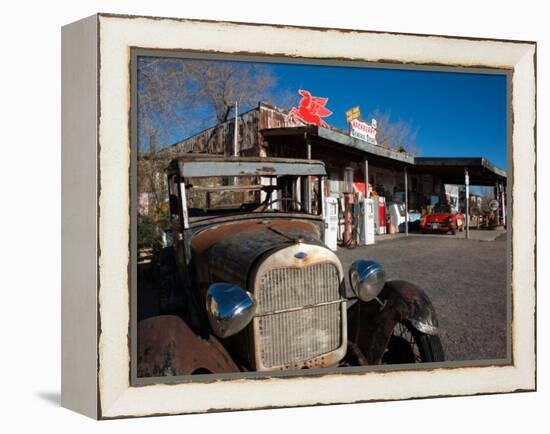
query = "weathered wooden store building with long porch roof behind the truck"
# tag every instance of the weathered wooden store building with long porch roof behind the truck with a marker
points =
(400, 177)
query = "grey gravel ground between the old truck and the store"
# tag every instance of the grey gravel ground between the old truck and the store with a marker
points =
(465, 279)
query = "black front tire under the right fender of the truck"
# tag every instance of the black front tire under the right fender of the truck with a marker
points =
(408, 345)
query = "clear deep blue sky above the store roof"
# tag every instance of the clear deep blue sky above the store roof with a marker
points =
(454, 114)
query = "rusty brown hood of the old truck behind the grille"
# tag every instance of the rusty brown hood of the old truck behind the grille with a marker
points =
(227, 252)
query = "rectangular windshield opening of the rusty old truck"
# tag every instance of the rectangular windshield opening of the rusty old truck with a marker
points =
(223, 195)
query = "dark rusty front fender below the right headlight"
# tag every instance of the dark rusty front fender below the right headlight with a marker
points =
(370, 326)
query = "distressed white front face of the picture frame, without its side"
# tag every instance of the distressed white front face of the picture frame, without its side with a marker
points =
(116, 36)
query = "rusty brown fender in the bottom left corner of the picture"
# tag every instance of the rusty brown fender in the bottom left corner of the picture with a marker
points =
(168, 346)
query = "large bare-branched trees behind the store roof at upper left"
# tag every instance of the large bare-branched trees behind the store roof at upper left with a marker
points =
(179, 97)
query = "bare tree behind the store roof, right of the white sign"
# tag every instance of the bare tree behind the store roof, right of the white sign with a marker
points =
(399, 135)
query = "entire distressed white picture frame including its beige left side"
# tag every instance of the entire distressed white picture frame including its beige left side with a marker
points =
(96, 220)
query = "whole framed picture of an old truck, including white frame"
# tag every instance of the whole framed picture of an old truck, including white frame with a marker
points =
(261, 216)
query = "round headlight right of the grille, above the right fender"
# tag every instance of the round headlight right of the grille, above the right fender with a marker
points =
(367, 279)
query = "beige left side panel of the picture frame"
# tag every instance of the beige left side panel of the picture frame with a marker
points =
(79, 383)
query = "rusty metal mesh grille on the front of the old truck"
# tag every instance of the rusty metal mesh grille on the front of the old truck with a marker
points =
(299, 314)
